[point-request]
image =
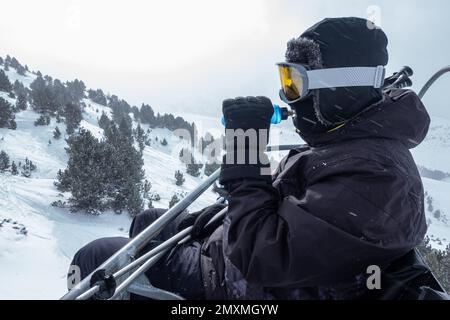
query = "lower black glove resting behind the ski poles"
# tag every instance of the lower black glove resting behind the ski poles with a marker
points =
(199, 220)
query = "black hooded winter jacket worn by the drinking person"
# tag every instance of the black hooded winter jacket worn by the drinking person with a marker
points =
(350, 199)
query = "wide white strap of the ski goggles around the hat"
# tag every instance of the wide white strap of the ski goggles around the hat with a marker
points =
(346, 77)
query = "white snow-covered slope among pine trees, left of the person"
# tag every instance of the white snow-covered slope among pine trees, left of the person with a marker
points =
(37, 241)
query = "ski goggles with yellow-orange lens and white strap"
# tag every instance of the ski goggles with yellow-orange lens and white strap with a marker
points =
(297, 80)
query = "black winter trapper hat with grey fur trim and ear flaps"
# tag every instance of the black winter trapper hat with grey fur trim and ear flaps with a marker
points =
(334, 43)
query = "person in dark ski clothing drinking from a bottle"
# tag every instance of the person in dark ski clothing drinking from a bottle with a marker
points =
(349, 199)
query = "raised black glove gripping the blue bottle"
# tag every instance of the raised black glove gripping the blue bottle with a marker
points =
(246, 160)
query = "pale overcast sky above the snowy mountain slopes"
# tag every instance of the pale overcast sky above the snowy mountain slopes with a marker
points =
(192, 54)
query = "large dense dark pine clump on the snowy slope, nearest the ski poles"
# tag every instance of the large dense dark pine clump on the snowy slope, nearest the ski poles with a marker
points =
(103, 174)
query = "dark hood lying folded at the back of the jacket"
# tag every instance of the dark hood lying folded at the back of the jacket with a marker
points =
(400, 116)
